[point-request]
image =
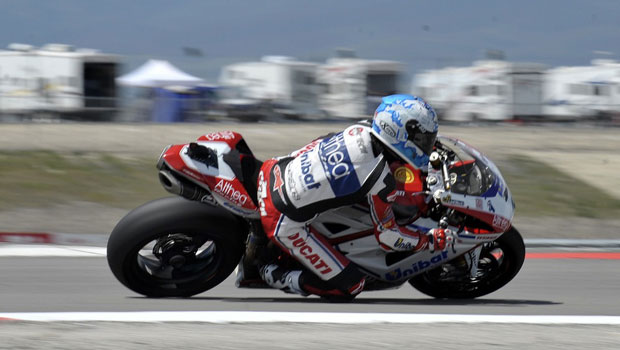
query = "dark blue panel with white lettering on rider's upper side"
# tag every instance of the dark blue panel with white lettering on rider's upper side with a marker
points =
(337, 165)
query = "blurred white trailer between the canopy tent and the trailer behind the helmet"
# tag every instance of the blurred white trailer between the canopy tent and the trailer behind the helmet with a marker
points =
(284, 83)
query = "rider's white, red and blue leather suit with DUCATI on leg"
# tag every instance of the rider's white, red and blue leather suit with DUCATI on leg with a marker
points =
(338, 170)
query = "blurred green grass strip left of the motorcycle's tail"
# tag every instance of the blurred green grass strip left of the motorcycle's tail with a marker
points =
(41, 179)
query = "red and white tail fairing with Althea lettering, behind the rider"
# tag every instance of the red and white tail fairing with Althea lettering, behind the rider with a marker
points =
(226, 189)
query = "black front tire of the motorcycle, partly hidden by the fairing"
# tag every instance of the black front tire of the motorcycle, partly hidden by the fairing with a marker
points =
(500, 272)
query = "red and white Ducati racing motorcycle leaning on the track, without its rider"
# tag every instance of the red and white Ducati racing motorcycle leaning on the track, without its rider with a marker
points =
(187, 244)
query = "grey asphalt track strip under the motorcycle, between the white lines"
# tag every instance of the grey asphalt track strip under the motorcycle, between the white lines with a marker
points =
(76, 284)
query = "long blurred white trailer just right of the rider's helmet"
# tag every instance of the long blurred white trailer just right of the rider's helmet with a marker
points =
(490, 90)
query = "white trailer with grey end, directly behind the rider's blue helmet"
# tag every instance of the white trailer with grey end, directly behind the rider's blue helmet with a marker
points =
(353, 87)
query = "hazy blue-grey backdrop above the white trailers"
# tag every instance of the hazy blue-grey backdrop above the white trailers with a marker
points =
(422, 34)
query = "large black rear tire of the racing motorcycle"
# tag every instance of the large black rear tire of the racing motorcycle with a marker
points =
(179, 226)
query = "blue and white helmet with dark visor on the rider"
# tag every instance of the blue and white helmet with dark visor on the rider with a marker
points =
(408, 126)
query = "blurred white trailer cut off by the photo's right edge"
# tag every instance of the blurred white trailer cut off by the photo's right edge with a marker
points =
(583, 92)
